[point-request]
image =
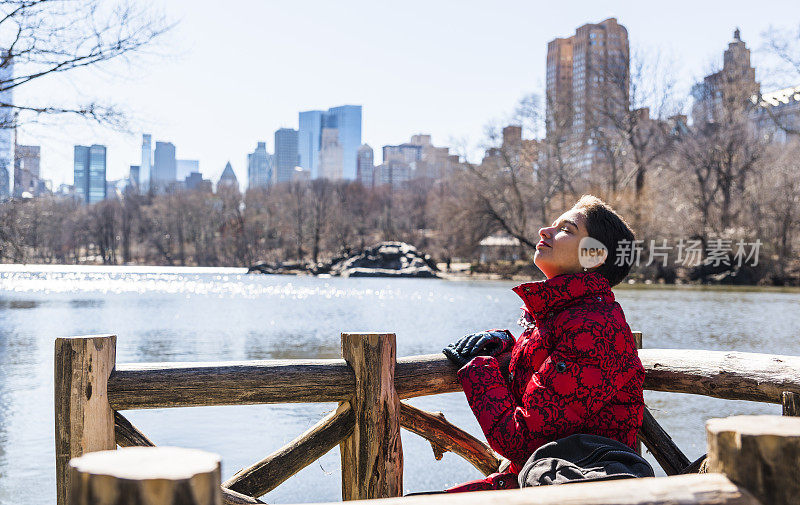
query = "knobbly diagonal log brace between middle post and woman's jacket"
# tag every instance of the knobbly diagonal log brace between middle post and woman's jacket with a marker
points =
(445, 436)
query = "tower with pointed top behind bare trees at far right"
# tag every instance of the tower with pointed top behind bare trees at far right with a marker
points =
(731, 87)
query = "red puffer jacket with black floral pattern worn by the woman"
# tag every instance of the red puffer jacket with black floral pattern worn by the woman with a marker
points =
(575, 371)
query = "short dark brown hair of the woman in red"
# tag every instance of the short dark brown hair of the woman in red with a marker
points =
(605, 225)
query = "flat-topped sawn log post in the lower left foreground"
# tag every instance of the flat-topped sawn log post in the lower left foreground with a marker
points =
(146, 476)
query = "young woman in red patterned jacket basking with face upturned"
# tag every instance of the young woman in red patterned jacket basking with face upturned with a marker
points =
(575, 369)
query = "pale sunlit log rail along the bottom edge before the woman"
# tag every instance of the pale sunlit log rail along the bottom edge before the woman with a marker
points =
(708, 489)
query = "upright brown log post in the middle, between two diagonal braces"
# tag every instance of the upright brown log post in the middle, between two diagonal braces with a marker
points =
(372, 456)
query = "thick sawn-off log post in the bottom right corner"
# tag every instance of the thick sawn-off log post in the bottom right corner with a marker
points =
(759, 453)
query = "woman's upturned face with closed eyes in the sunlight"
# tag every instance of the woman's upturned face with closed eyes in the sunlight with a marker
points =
(558, 249)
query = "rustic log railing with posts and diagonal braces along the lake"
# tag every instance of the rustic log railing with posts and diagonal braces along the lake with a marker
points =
(369, 384)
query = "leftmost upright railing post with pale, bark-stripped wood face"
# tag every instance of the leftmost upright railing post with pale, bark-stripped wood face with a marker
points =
(84, 421)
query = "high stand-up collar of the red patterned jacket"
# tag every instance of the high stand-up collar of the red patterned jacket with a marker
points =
(543, 297)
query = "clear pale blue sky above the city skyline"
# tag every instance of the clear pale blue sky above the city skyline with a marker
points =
(231, 73)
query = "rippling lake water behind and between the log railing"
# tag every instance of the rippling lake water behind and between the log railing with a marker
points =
(185, 314)
